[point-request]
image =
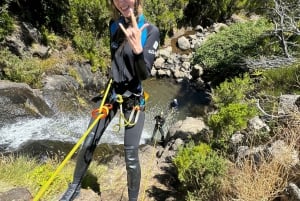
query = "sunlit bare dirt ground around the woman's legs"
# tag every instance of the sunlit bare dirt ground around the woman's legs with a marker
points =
(158, 179)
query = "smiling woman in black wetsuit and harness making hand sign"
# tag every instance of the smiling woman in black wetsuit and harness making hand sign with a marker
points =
(133, 44)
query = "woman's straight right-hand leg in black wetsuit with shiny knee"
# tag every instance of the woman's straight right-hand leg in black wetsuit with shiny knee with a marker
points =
(131, 144)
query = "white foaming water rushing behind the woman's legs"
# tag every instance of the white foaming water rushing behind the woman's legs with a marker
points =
(62, 128)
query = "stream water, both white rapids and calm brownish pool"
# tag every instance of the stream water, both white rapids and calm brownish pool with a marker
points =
(47, 133)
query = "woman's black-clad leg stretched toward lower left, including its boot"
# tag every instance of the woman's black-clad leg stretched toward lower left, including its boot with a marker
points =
(85, 155)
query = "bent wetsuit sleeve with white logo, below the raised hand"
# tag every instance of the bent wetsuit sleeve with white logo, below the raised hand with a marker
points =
(145, 60)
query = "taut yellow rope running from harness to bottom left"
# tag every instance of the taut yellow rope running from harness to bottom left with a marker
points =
(76, 146)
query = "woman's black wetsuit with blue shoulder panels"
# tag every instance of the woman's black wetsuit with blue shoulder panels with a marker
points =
(127, 72)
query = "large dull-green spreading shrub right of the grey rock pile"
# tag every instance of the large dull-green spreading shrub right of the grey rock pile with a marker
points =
(230, 45)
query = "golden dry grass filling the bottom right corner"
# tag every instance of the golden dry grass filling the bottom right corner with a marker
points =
(267, 179)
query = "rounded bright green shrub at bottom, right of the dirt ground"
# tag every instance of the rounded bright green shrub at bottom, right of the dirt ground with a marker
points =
(200, 170)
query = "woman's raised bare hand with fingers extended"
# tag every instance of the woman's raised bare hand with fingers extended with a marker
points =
(133, 34)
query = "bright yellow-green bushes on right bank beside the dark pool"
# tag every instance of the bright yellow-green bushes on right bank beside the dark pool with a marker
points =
(235, 109)
